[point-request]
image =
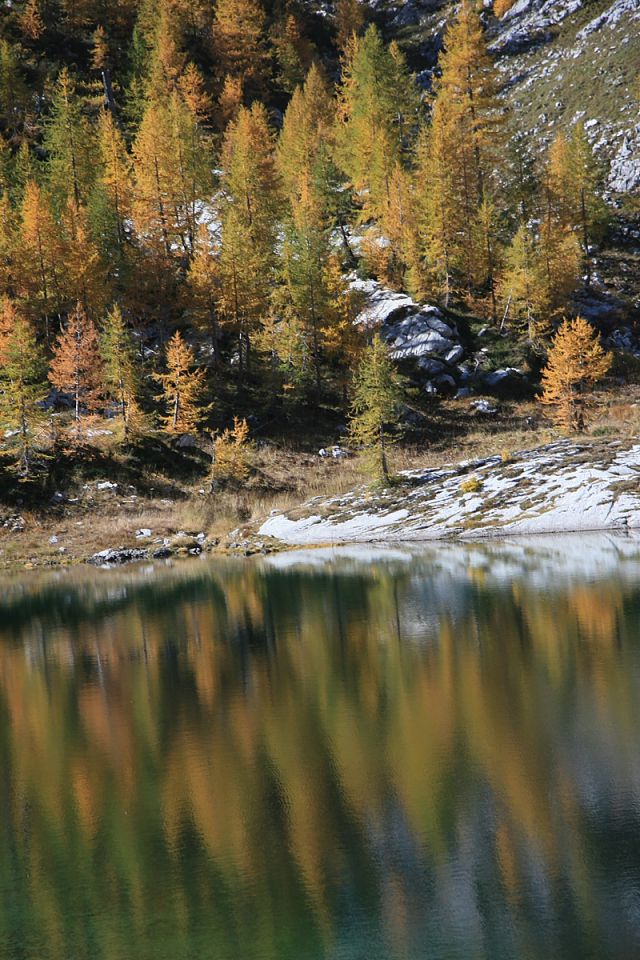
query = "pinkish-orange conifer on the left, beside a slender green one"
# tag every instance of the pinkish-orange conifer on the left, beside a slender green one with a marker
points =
(76, 366)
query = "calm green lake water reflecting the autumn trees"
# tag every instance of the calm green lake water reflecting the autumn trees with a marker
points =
(358, 755)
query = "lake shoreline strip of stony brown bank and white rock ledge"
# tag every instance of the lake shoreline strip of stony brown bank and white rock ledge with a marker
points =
(566, 487)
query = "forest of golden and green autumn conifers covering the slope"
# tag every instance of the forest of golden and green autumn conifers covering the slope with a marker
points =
(190, 193)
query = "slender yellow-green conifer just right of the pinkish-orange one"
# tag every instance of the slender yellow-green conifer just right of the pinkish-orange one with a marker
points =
(118, 352)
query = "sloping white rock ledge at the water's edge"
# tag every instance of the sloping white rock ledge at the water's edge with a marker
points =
(562, 487)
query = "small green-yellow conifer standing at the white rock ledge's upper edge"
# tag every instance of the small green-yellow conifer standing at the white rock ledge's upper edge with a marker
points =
(376, 394)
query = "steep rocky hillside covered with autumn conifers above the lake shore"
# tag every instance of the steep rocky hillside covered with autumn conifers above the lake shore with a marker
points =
(211, 213)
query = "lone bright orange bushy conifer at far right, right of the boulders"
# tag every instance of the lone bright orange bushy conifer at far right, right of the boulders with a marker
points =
(576, 361)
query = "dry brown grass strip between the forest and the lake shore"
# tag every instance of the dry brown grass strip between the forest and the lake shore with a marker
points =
(166, 490)
